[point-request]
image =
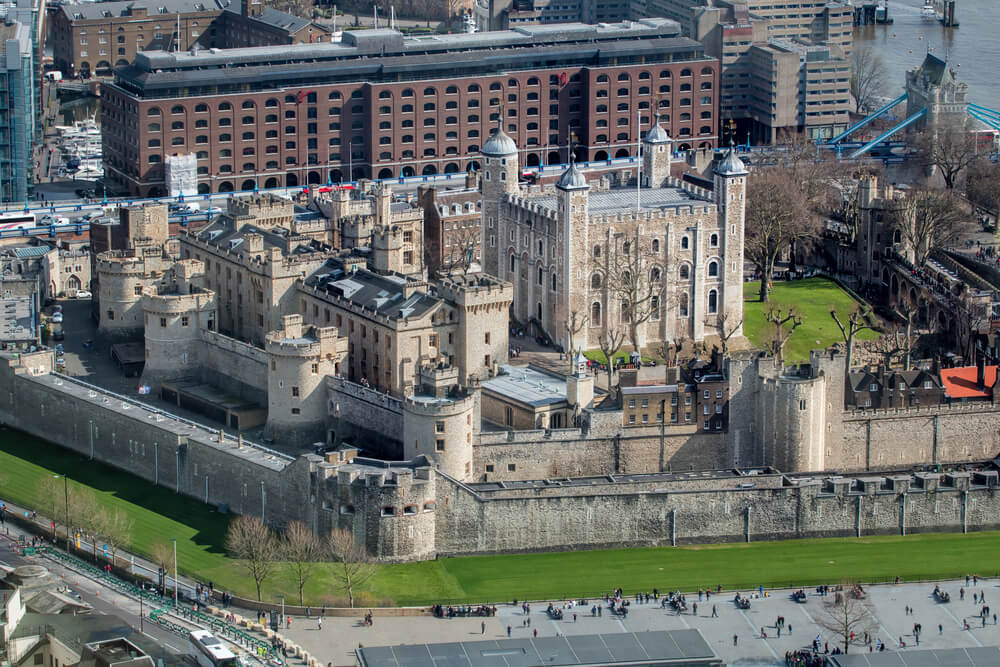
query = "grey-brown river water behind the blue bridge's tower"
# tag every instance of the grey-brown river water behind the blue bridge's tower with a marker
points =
(973, 48)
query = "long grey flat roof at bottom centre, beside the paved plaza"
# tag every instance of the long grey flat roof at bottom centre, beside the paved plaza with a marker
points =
(664, 647)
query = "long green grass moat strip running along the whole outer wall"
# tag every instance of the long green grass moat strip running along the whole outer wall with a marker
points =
(159, 514)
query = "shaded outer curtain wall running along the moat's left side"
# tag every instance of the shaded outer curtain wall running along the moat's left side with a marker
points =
(165, 451)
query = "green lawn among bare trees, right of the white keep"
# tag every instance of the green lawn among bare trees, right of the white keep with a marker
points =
(813, 298)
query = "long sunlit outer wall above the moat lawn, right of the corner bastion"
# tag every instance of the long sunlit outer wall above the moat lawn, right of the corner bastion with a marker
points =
(608, 514)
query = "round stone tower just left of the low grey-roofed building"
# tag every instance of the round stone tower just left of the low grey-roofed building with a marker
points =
(439, 423)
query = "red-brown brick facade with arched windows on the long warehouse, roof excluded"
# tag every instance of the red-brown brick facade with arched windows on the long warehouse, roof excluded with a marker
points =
(295, 136)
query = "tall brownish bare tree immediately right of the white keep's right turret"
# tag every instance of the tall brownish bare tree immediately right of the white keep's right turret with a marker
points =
(778, 214)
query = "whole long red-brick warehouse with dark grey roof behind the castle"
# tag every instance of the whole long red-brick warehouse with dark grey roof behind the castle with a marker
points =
(382, 105)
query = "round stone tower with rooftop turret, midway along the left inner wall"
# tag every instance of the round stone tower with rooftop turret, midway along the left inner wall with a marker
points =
(299, 359)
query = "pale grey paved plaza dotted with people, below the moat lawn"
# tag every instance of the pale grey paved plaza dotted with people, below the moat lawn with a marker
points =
(340, 636)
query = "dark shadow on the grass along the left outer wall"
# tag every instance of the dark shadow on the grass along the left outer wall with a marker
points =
(209, 525)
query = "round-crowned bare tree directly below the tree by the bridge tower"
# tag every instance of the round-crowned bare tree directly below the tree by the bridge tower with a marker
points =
(929, 219)
